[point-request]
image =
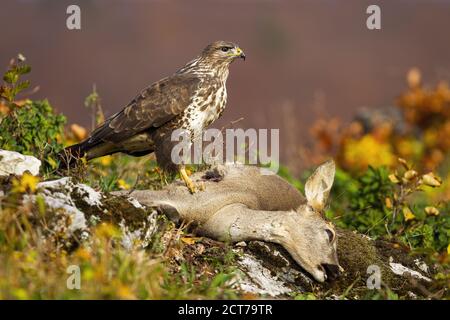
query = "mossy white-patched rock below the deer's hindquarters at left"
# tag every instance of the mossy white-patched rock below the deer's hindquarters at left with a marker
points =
(73, 208)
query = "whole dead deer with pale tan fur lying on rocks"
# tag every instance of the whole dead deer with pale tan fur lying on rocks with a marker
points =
(240, 204)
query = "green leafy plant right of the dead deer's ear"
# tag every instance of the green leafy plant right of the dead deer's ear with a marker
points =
(381, 203)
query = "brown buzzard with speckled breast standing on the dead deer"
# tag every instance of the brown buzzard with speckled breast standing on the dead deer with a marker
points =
(191, 99)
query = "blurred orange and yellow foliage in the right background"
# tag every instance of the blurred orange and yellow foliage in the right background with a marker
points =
(375, 139)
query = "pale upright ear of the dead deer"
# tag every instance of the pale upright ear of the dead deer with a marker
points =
(318, 185)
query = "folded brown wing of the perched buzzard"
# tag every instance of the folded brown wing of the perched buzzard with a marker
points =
(152, 108)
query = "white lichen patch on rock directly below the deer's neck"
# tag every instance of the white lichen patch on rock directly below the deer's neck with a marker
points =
(258, 279)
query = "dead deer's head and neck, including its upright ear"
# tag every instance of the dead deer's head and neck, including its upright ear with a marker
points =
(304, 233)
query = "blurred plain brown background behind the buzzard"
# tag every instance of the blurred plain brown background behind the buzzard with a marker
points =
(305, 58)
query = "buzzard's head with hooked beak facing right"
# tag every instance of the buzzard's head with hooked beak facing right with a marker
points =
(222, 52)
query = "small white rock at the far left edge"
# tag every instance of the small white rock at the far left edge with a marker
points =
(15, 163)
